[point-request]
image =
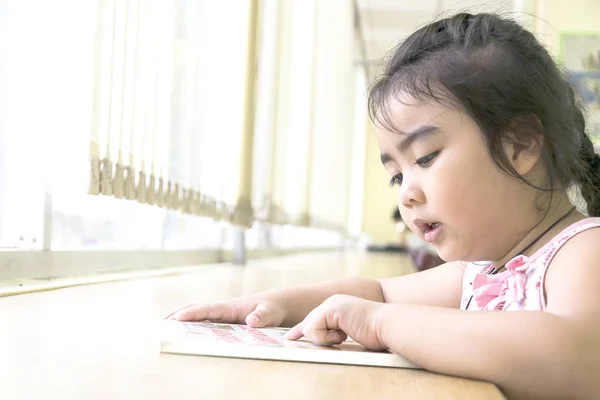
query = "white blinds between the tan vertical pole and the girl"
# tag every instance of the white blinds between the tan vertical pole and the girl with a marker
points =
(312, 106)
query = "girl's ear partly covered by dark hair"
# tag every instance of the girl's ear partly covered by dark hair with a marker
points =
(524, 144)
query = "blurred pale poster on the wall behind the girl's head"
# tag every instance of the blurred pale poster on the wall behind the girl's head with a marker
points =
(580, 52)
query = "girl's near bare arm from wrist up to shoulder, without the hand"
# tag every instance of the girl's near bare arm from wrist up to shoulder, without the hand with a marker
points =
(552, 354)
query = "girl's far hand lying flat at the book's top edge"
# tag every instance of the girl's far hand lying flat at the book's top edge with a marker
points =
(256, 312)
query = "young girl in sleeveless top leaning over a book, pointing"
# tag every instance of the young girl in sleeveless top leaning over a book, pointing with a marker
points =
(480, 131)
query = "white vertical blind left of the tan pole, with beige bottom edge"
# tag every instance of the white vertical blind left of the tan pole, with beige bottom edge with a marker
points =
(169, 103)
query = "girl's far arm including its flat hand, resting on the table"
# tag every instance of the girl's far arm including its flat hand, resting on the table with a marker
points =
(288, 306)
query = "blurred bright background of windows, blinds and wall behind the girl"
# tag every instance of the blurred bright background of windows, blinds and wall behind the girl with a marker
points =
(149, 133)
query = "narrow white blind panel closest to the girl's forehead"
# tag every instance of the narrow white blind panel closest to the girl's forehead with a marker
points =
(333, 117)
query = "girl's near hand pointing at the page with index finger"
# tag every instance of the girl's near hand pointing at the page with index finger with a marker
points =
(341, 316)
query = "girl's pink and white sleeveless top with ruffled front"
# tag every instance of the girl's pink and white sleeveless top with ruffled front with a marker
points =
(521, 285)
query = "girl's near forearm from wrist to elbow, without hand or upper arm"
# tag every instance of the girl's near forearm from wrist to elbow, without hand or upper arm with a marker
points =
(525, 353)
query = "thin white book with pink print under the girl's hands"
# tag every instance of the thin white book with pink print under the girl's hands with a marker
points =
(242, 341)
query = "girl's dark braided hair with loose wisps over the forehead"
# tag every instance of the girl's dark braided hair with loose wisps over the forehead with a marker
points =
(499, 74)
